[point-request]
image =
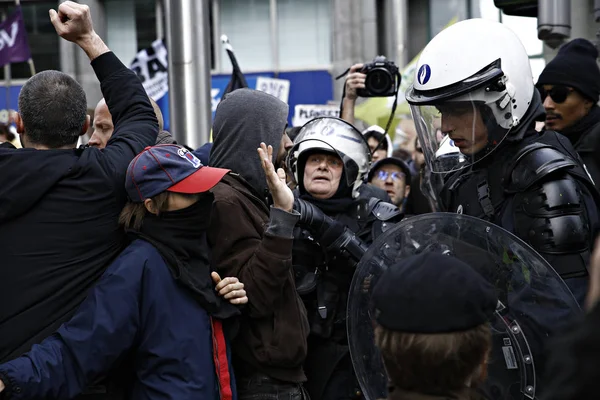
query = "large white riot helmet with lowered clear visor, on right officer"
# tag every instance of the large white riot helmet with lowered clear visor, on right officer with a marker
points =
(474, 79)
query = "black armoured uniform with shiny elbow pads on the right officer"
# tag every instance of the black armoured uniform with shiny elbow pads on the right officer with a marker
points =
(535, 186)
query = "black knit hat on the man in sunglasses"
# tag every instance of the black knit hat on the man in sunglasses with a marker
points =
(574, 66)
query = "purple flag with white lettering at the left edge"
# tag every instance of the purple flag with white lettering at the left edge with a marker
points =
(13, 40)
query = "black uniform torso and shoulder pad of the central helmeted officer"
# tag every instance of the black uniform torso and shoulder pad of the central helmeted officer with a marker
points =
(323, 278)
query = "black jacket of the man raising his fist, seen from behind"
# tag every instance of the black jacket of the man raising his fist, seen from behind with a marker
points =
(59, 215)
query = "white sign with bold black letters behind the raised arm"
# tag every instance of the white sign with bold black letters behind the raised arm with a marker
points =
(151, 66)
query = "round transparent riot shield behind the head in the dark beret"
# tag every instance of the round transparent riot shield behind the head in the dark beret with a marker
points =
(533, 304)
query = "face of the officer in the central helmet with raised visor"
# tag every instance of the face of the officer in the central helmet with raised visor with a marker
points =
(322, 175)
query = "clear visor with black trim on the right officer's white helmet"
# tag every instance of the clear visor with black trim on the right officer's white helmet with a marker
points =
(462, 123)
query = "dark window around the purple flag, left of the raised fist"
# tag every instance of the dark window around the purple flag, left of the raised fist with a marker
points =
(43, 40)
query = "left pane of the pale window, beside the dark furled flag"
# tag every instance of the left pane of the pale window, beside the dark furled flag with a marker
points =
(247, 24)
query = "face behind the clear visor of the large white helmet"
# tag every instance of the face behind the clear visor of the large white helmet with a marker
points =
(462, 121)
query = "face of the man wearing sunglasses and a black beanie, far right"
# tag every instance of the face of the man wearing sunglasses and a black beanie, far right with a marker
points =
(564, 106)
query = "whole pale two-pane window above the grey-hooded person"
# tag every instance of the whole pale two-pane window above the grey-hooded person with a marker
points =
(302, 37)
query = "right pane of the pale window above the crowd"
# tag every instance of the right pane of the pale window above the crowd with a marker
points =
(304, 33)
